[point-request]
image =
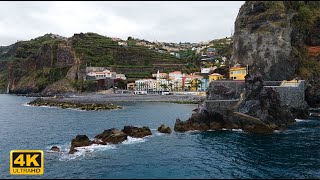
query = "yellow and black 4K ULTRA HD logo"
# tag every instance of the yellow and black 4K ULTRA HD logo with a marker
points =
(26, 162)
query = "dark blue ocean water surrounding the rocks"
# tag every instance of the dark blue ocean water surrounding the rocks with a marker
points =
(293, 153)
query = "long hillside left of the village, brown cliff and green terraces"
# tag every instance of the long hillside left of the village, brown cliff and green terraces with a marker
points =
(52, 63)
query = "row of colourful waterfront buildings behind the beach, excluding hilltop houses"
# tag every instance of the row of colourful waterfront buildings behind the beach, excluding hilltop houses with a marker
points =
(175, 82)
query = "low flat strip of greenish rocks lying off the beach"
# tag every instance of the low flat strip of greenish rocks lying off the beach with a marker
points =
(73, 105)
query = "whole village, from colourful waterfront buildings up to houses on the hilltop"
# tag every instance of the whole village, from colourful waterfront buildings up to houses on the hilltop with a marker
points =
(176, 82)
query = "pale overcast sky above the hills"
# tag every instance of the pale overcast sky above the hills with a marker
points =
(161, 21)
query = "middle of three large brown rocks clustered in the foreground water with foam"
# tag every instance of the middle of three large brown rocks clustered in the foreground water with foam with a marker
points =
(113, 136)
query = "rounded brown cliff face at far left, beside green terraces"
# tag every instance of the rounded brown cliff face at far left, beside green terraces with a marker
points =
(33, 65)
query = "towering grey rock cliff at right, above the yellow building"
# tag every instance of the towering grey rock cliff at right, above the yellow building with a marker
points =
(280, 40)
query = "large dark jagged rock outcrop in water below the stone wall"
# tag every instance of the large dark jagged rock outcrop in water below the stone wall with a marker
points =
(259, 111)
